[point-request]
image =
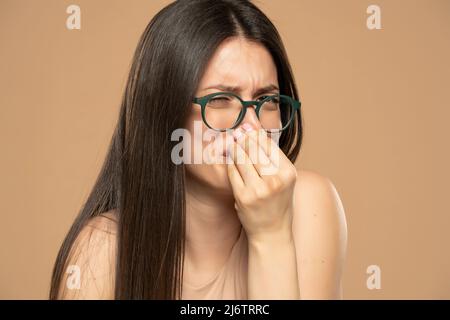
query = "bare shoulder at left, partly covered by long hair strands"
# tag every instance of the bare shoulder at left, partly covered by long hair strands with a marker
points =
(90, 268)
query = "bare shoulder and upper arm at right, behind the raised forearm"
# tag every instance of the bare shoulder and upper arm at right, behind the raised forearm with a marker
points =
(320, 233)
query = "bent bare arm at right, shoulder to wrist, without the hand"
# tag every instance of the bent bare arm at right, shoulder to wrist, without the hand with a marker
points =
(308, 262)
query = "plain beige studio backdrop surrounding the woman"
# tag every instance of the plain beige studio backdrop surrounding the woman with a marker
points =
(376, 107)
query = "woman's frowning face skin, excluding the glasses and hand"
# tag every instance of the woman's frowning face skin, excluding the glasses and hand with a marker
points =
(236, 63)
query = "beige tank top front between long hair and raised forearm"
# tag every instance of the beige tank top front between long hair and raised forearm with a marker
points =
(230, 283)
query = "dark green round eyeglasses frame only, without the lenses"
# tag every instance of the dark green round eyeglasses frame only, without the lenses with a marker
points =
(202, 101)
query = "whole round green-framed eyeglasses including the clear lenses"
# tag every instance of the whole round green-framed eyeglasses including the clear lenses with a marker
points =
(222, 111)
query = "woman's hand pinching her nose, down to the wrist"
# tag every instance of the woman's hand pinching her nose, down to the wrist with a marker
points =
(263, 180)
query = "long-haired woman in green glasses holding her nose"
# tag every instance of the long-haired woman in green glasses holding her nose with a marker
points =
(154, 228)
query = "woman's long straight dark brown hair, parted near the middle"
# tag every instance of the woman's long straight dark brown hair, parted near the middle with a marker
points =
(138, 178)
